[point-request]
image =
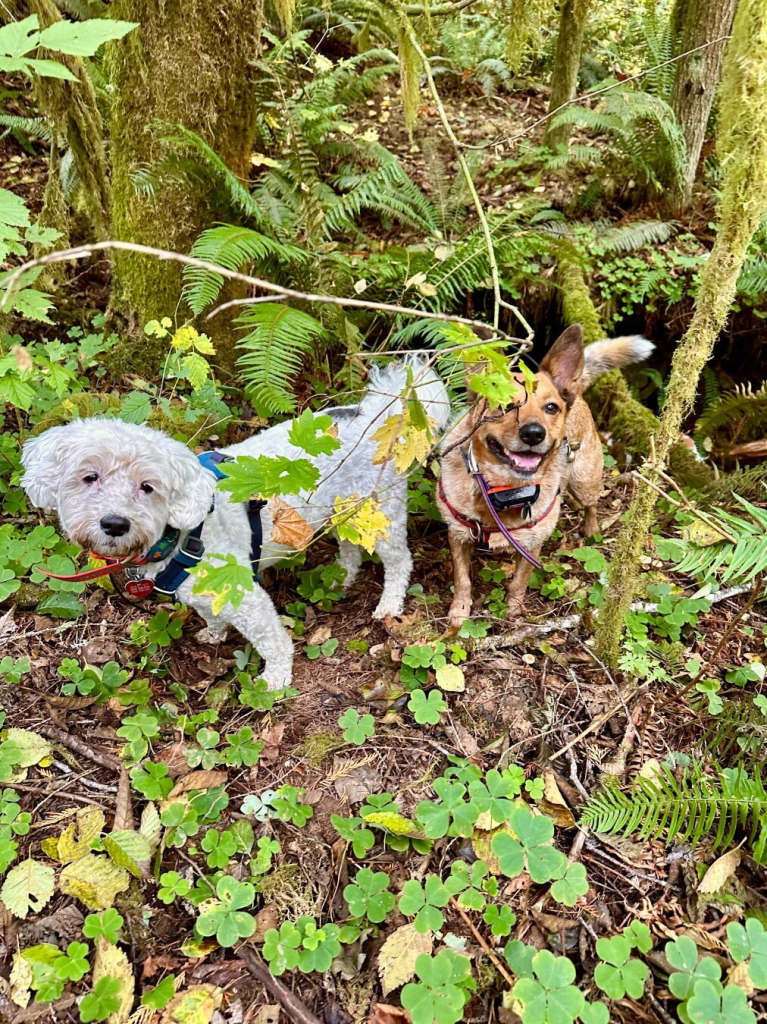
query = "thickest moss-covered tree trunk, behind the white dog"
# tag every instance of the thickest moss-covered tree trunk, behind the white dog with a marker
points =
(191, 63)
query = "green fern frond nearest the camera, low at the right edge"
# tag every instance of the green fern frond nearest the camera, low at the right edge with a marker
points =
(686, 809)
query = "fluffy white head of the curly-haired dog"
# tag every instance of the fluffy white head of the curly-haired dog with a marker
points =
(116, 486)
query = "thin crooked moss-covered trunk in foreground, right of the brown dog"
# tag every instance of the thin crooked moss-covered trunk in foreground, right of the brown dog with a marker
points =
(743, 151)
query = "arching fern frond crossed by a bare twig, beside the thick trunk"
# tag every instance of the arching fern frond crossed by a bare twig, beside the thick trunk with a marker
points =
(231, 248)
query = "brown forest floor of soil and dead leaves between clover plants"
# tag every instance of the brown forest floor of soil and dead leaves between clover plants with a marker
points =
(528, 700)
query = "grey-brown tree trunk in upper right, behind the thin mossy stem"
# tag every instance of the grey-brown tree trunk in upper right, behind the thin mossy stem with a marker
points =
(697, 80)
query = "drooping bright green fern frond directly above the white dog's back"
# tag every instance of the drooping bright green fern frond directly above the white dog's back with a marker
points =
(278, 340)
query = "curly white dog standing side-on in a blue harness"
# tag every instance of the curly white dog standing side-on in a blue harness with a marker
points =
(118, 487)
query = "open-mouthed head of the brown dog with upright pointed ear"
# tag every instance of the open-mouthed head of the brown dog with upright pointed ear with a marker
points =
(521, 444)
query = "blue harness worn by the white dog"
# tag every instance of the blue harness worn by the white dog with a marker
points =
(190, 552)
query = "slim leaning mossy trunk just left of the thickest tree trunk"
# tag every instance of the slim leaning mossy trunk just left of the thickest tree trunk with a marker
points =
(73, 114)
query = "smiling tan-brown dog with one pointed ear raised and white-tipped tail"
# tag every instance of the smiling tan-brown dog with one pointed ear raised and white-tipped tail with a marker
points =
(550, 441)
